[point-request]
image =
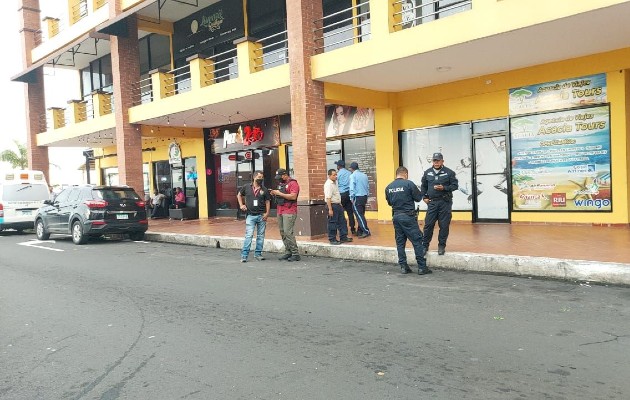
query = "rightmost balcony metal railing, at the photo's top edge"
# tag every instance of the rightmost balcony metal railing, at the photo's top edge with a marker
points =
(417, 12)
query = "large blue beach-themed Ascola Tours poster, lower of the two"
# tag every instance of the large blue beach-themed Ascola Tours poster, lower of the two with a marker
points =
(561, 161)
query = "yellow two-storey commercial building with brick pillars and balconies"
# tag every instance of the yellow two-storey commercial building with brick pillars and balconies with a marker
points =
(527, 101)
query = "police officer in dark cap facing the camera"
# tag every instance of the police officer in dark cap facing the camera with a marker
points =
(437, 185)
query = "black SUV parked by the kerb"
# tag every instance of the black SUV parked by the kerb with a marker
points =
(91, 211)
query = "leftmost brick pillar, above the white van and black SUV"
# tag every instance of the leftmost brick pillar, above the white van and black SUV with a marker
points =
(30, 30)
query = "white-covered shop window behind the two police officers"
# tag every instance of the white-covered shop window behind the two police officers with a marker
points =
(453, 141)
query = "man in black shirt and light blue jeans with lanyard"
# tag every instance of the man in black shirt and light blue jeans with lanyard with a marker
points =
(256, 201)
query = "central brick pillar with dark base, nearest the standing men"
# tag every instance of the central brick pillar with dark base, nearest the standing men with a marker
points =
(307, 117)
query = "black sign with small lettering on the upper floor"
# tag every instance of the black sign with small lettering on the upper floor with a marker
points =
(216, 24)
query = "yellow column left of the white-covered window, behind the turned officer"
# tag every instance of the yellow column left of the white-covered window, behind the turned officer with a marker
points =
(387, 155)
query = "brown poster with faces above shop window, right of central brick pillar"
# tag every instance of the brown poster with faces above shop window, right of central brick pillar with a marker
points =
(346, 120)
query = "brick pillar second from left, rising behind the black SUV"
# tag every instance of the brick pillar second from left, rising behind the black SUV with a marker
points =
(126, 73)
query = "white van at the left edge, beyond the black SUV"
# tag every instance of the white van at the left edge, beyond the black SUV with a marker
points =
(22, 193)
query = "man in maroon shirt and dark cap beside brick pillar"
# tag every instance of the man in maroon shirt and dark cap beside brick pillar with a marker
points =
(286, 199)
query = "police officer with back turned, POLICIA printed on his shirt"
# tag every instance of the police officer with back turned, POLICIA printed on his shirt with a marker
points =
(402, 195)
